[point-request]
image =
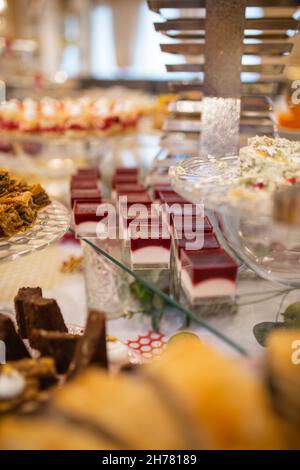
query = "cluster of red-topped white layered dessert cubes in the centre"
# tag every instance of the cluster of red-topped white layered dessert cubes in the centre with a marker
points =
(156, 226)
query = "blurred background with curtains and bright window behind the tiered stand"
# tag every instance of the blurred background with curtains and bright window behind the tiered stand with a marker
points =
(80, 43)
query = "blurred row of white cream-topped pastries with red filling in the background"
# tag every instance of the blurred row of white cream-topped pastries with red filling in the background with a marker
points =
(74, 117)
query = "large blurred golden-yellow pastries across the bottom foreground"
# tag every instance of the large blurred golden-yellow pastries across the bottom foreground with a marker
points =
(100, 411)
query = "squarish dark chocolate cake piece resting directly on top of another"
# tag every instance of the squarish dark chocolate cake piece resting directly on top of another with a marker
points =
(43, 314)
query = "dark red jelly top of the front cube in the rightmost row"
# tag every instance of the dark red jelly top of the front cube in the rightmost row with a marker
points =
(209, 264)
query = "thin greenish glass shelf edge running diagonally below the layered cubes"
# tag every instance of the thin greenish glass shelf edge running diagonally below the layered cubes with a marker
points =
(169, 301)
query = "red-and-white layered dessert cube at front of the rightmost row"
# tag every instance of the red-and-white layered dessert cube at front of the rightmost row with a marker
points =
(208, 274)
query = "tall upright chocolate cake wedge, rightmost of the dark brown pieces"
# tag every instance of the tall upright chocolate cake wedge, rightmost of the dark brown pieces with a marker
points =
(91, 348)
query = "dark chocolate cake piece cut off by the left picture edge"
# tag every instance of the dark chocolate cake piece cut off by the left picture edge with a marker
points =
(14, 346)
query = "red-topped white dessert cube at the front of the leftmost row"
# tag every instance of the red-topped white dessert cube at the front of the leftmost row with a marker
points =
(86, 218)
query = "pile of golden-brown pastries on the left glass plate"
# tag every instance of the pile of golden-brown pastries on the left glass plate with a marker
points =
(19, 204)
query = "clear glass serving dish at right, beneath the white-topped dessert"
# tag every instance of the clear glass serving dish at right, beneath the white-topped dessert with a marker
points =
(270, 248)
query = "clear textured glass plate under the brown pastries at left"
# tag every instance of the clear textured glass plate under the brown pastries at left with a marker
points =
(51, 224)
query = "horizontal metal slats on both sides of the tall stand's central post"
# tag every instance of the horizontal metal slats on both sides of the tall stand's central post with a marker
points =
(205, 34)
